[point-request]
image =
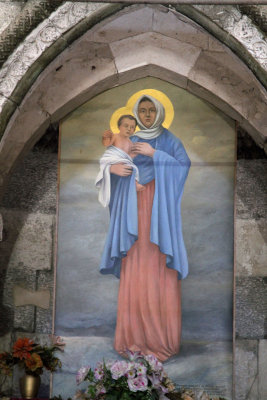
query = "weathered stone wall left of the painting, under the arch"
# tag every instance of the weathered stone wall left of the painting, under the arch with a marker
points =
(27, 252)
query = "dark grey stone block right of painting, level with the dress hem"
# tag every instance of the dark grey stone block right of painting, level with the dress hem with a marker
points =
(251, 308)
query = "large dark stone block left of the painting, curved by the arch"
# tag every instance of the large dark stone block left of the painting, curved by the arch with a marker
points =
(33, 185)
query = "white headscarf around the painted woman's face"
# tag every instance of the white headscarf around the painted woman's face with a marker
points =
(156, 129)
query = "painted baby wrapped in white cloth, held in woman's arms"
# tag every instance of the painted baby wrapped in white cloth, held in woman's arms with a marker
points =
(119, 151)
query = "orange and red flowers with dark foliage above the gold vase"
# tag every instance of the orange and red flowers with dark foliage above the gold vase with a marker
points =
(31, 356)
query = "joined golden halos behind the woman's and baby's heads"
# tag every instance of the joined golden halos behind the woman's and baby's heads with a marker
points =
(128, 109)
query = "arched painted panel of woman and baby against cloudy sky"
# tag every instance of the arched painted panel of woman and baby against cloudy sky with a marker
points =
(89, 237)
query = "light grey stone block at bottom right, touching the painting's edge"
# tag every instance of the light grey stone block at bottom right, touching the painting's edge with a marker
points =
(246, 368)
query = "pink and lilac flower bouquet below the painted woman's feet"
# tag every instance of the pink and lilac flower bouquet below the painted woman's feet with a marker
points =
(142, 378)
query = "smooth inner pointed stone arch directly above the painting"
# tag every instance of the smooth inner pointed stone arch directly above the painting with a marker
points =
(194, 60)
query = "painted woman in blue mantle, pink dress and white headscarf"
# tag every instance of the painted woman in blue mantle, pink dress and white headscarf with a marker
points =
(144, 245)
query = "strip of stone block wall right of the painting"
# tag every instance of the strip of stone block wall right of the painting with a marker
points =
(251, 276)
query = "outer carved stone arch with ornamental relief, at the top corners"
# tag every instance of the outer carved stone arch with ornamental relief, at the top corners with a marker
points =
(232, 25)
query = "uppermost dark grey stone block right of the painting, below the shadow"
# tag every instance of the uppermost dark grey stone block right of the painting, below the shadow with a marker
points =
(251, 189)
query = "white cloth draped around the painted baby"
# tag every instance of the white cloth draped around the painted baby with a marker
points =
(113, 155)
